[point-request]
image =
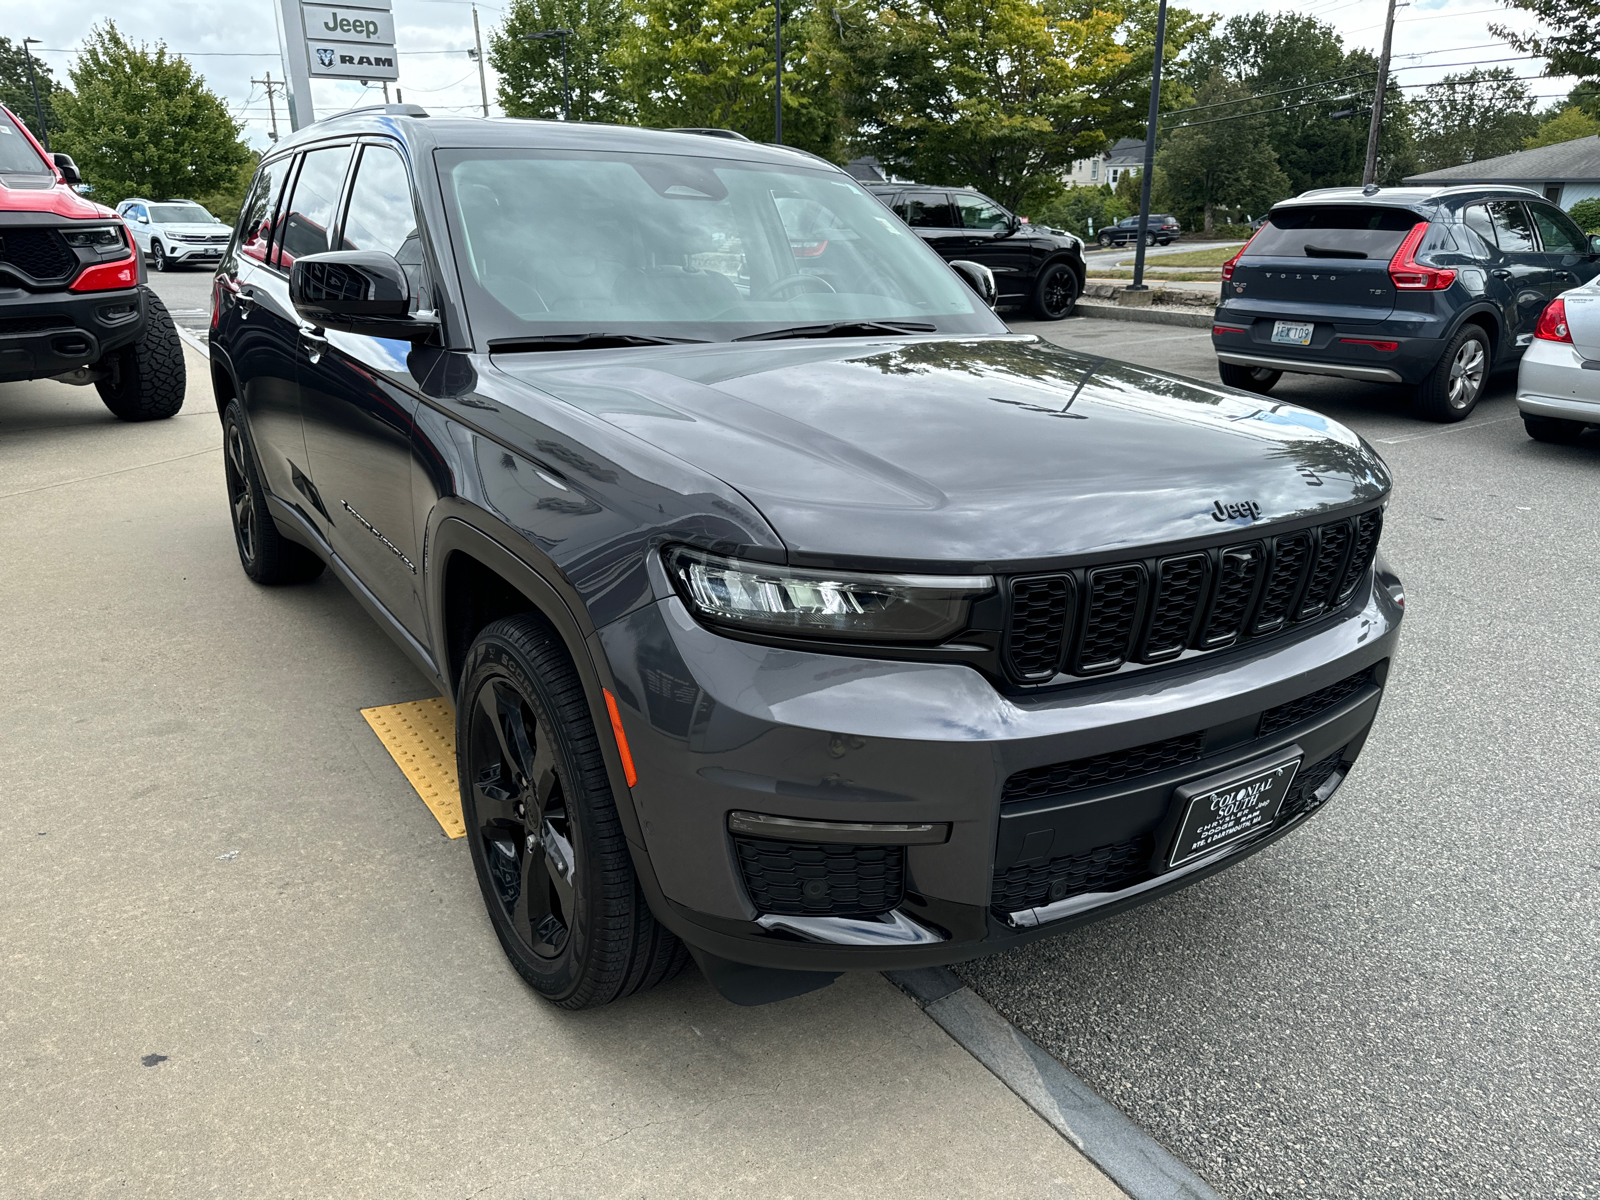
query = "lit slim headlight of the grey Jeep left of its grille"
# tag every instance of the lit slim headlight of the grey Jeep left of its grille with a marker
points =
(825, 604)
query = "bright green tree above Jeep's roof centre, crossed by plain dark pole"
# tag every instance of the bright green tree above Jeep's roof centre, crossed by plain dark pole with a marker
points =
(713, 63)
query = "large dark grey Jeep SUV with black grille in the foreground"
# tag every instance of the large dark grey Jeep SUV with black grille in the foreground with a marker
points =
(807, 618)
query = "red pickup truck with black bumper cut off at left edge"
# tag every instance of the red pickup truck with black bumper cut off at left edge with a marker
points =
(73, 298)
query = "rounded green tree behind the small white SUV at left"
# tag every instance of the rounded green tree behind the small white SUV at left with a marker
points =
(143, 122)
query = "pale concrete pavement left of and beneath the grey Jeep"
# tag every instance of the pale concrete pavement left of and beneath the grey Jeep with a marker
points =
(238, 956)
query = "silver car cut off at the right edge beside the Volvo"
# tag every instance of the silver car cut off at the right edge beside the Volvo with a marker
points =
(1559, 382)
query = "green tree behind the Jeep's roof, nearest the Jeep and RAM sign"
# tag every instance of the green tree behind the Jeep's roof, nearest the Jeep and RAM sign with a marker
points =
(532, 71)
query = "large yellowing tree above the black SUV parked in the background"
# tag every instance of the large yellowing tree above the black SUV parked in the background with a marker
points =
(1002, 95)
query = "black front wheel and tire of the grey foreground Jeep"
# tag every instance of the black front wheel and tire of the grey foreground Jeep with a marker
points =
(561, 892)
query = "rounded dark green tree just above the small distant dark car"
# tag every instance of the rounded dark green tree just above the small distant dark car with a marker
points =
(1220, 164)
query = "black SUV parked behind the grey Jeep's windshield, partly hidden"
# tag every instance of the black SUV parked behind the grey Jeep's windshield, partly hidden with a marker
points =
(1033, 266)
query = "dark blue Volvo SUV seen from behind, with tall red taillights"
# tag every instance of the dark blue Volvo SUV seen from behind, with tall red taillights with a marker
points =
(1404, 286)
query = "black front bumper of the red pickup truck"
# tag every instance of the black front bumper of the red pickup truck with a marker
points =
(52, 334)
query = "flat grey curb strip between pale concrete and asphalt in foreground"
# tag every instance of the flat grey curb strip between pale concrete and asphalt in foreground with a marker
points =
(1126, 1153)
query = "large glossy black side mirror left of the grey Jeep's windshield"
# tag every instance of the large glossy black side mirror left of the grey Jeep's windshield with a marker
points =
(358, 292)
